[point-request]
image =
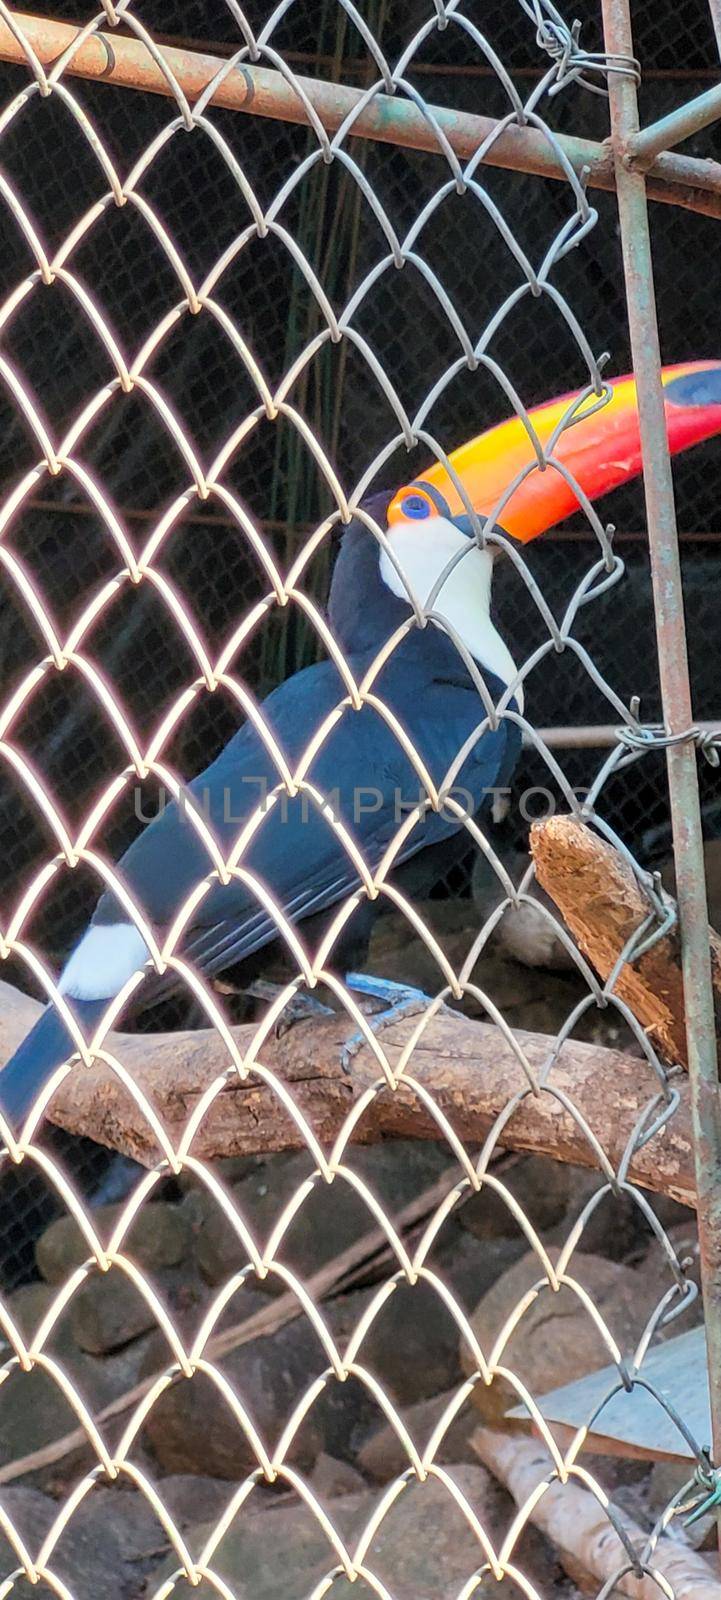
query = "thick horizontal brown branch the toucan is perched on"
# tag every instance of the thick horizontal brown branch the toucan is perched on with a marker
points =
(468, 1068)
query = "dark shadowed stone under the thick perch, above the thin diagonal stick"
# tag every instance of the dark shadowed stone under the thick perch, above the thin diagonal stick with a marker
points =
(330, 1218)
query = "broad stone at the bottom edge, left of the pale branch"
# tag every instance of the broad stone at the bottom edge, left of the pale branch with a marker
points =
(424, 1548)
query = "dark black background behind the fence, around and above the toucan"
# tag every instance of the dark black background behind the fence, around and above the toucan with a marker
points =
(62, 540)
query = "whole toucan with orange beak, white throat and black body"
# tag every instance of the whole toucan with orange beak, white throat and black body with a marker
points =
(345, 770)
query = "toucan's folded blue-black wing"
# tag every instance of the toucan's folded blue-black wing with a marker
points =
(298, 855)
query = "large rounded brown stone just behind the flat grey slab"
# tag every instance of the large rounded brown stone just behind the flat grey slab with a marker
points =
(557, 1340)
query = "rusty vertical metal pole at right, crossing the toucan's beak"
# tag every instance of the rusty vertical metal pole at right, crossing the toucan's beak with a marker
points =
(674, 670)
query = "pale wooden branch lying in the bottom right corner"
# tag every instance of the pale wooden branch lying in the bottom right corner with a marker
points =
(588, 1543)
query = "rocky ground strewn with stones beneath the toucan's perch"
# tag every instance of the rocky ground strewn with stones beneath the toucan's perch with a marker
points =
(196, 1450)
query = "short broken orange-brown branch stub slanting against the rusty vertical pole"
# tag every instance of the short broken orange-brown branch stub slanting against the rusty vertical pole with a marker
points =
(602, 905)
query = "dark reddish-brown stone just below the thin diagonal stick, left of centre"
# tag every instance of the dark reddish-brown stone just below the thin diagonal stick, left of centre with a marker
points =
(193, 1428)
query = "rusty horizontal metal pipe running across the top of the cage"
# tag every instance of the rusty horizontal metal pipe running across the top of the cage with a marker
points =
(396, 121)
